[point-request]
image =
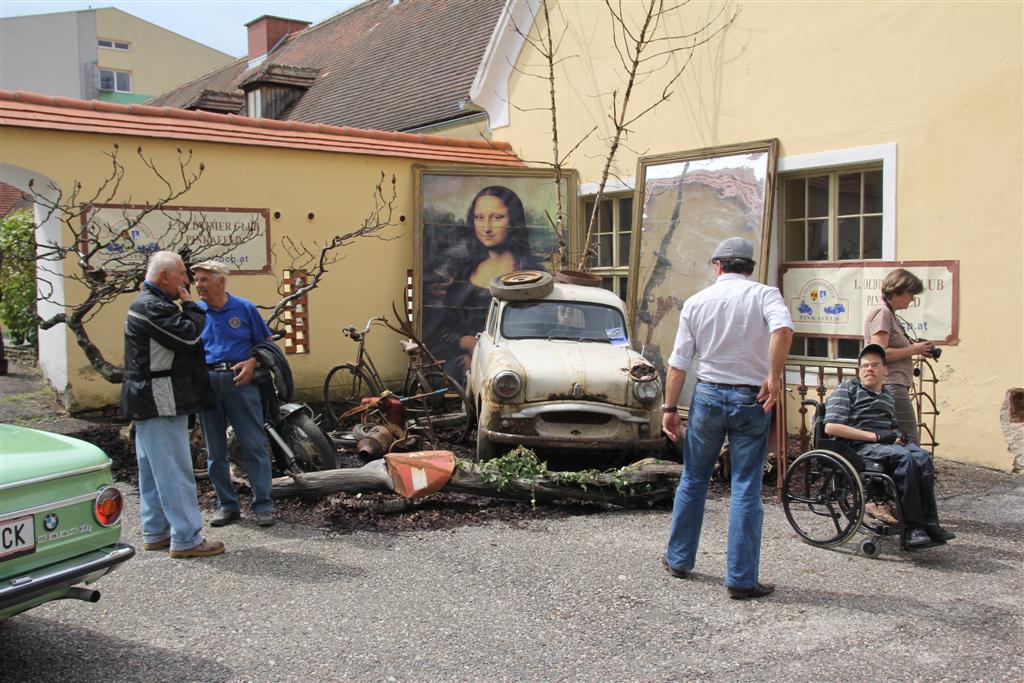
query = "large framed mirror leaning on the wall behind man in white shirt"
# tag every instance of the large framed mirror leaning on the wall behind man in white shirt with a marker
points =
(688, 203)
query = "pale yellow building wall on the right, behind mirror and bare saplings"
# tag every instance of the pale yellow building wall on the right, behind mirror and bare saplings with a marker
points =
(944, 81)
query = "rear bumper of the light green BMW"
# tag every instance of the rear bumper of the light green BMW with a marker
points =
(52, 582)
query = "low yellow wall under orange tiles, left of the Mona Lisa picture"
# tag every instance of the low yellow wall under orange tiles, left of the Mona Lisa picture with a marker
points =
(338, 189)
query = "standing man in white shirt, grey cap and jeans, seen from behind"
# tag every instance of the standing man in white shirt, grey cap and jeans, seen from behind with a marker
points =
(740, 331)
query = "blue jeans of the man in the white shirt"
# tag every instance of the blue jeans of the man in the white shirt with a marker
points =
(714, 414)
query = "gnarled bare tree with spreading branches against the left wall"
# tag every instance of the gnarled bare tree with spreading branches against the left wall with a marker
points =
(108, 259)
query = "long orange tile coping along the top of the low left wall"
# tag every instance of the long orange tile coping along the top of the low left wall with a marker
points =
(27, 110)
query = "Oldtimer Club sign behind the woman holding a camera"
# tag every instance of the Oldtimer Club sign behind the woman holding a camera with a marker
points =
(834, 298)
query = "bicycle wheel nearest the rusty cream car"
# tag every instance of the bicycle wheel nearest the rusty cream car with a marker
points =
(449, 413)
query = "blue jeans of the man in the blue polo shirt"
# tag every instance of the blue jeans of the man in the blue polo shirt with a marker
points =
(244, 409)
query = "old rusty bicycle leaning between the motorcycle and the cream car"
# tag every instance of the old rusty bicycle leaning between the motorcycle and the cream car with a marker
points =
(431, 399)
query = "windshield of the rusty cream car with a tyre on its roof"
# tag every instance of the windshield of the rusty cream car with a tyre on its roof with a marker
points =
(564, 320)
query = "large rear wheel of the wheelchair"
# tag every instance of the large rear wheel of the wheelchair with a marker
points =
(824, 499)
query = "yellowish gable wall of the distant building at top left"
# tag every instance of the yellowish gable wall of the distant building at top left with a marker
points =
(159, 60)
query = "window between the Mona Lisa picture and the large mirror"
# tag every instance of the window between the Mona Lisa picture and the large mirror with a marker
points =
(612, 242)
